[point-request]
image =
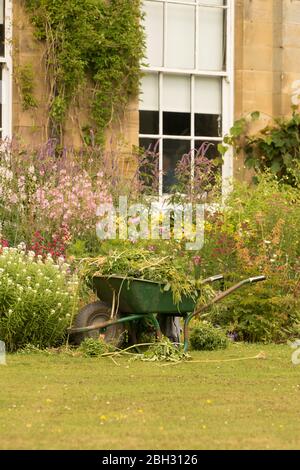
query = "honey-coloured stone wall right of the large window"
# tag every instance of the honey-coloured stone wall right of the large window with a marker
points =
(267, 59)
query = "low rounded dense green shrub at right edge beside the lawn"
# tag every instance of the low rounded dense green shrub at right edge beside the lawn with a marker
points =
(266, 312)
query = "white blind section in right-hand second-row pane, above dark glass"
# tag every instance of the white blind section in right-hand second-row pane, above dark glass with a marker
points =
(208, 95)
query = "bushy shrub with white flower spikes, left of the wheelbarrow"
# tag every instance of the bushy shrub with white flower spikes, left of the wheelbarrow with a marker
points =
(37, 299)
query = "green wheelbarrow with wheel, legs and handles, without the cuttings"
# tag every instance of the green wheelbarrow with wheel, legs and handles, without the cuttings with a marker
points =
(127, 300)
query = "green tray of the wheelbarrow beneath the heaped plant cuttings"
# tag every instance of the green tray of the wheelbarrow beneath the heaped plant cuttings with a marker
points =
(139, 296)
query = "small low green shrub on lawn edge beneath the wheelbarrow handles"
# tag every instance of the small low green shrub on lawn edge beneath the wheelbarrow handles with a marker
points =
(205, 337)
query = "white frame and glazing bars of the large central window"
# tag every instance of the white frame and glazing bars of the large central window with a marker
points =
(227, 77)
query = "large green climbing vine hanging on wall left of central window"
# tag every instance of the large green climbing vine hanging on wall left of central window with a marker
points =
(98, 42)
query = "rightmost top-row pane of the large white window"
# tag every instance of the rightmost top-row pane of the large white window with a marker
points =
(211, 48)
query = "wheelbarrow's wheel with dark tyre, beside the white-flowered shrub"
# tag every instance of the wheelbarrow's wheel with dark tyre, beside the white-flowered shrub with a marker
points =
(93, 313)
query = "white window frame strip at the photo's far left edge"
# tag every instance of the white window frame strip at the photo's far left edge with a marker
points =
(7, 66)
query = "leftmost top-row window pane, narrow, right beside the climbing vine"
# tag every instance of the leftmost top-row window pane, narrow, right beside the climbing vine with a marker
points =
(154, 27)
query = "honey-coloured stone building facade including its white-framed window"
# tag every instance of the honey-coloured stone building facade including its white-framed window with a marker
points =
(210, 62)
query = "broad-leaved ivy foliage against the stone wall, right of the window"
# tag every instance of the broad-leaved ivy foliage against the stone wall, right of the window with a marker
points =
(275, 149)
